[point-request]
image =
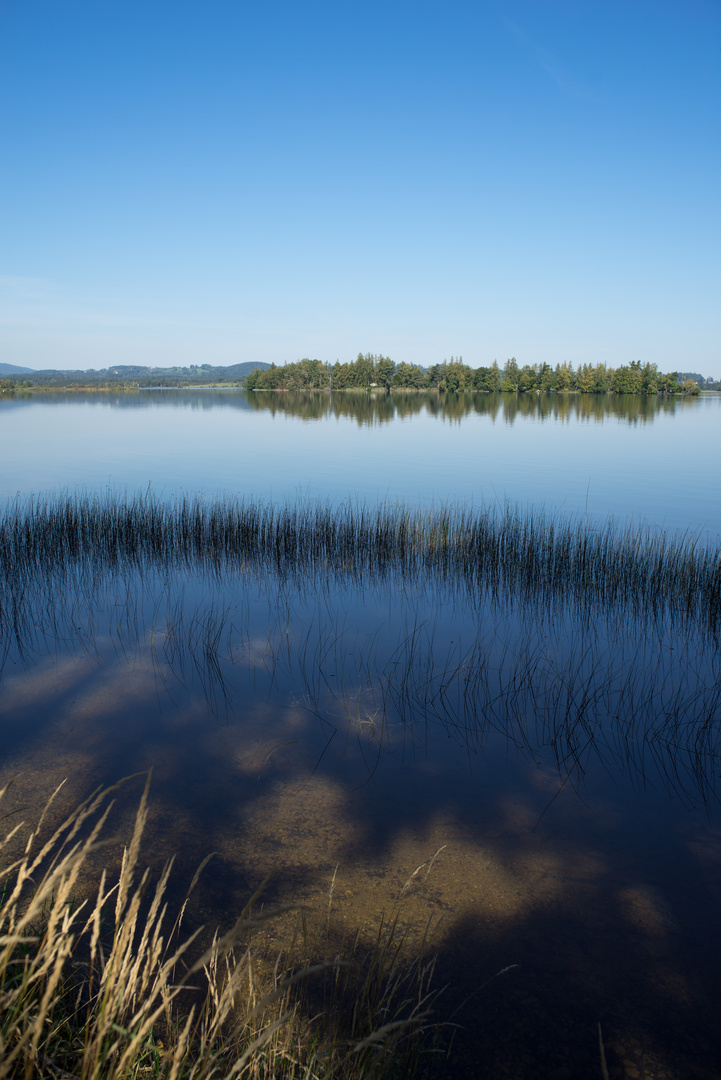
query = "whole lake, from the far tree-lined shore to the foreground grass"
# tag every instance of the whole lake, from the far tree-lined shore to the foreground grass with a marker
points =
(528, 766)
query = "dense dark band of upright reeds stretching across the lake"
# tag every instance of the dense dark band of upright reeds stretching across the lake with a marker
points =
(542, 559)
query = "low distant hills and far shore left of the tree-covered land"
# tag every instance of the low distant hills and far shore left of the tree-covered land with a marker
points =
(137, 375)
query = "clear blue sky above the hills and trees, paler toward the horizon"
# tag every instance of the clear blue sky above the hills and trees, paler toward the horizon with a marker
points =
(226, 182)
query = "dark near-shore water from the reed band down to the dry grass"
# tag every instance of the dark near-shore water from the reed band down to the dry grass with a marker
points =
(534, 768)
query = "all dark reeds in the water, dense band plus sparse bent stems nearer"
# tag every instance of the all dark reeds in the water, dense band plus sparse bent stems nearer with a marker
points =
(589, 641)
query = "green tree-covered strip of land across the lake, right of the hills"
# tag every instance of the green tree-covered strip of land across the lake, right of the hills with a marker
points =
(370, 371)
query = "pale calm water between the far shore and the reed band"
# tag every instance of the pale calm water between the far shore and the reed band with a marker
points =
(636, 460)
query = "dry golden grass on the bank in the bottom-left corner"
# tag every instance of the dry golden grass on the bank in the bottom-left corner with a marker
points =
(110, 988)
